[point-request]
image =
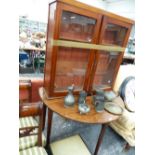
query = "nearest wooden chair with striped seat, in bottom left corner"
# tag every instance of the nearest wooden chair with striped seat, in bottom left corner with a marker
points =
(31, 142)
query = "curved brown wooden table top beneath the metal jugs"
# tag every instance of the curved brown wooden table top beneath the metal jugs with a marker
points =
(72, 113)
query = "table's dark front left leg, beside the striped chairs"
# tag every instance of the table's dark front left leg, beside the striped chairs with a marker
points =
(49, 125)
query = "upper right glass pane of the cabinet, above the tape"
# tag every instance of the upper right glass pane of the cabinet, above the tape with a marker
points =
(114, 34)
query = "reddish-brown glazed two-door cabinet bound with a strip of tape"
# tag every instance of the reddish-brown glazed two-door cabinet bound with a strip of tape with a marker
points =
(85, 47)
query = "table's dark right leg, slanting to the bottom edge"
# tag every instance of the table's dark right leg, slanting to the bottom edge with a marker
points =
(100, 139)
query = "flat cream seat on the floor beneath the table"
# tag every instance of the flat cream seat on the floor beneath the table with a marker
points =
(69, 146)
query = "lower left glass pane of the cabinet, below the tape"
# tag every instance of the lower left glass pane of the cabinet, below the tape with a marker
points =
(71, 68)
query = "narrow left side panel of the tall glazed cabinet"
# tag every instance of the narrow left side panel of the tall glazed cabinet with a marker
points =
(50, 35)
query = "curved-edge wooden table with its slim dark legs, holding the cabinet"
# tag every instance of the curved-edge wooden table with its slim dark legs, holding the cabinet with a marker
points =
(57, 105)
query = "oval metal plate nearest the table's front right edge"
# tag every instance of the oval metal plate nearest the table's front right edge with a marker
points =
(113, 108)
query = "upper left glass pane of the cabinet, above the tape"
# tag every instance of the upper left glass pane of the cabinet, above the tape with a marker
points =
(76, 27)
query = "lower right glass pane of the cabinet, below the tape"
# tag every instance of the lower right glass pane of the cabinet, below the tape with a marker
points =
(105, 70)
